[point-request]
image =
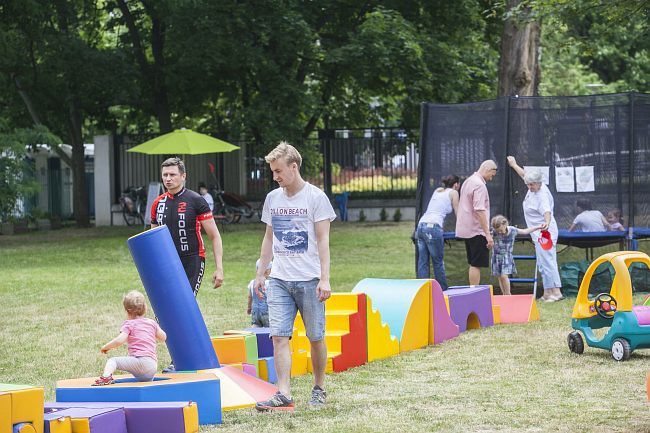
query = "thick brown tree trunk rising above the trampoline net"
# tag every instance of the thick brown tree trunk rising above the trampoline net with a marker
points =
(519, 72)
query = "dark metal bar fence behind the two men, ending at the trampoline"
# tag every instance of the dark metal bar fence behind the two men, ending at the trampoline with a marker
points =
(369, 163)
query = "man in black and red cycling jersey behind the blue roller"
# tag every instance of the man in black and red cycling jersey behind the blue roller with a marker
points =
(184, 212)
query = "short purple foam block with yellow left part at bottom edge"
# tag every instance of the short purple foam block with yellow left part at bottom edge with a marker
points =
(95, 420)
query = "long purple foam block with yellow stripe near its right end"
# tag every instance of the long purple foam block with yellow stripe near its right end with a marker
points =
(143, 417)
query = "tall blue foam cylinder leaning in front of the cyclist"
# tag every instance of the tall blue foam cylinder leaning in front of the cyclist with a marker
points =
(172, 300)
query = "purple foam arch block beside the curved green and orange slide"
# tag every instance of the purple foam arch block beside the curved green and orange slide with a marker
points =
(467, 300)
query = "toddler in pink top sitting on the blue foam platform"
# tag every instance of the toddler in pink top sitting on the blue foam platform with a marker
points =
(140, 334)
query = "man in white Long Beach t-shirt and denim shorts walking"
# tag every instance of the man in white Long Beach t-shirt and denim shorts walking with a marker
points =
(297, 217)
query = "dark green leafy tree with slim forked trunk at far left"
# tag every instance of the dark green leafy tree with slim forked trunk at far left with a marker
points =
(59, 65)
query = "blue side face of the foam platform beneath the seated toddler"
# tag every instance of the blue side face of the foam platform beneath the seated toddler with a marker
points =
(206, 393)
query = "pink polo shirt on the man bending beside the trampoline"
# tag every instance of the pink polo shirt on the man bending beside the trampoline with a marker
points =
(473, 197)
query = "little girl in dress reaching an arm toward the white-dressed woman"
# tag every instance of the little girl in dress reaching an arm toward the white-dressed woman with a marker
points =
(503, 263)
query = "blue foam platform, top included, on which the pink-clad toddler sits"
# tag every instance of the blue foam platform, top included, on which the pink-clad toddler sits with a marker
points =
(202, 388)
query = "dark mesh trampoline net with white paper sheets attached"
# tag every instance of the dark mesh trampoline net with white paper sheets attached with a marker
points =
(593, 147)
